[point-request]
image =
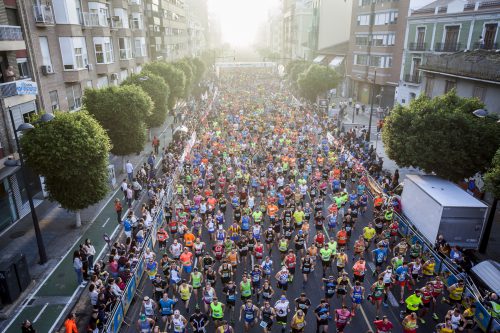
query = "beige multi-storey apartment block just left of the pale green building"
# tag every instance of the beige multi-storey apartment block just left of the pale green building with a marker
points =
(375, 49)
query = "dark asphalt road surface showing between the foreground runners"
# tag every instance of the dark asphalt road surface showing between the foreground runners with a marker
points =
(362, 322)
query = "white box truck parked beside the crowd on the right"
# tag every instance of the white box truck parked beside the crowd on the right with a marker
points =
(439, 207)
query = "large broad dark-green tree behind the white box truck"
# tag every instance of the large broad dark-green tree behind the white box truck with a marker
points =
(441, 136)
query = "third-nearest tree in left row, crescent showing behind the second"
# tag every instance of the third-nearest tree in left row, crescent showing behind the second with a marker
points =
(158, 90)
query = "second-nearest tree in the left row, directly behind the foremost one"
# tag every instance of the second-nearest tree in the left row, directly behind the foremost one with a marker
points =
(122, 111)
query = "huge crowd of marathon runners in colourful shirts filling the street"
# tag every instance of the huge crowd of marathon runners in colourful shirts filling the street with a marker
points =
(272, 196)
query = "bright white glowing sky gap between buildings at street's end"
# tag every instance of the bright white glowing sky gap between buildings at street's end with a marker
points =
(240, 19)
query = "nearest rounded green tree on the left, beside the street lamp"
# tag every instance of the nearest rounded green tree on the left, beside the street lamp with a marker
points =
(71, 152)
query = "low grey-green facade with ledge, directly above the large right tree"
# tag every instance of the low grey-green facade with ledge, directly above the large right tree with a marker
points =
(471, 74)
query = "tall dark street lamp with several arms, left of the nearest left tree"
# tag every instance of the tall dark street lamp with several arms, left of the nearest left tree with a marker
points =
(11, 162)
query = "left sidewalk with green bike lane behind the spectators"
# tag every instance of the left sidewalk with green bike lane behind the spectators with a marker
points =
(54, 287)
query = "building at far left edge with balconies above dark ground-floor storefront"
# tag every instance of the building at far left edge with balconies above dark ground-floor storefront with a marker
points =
(17, 104)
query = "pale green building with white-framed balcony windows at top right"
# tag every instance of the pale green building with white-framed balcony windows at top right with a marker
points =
(443, 28)
